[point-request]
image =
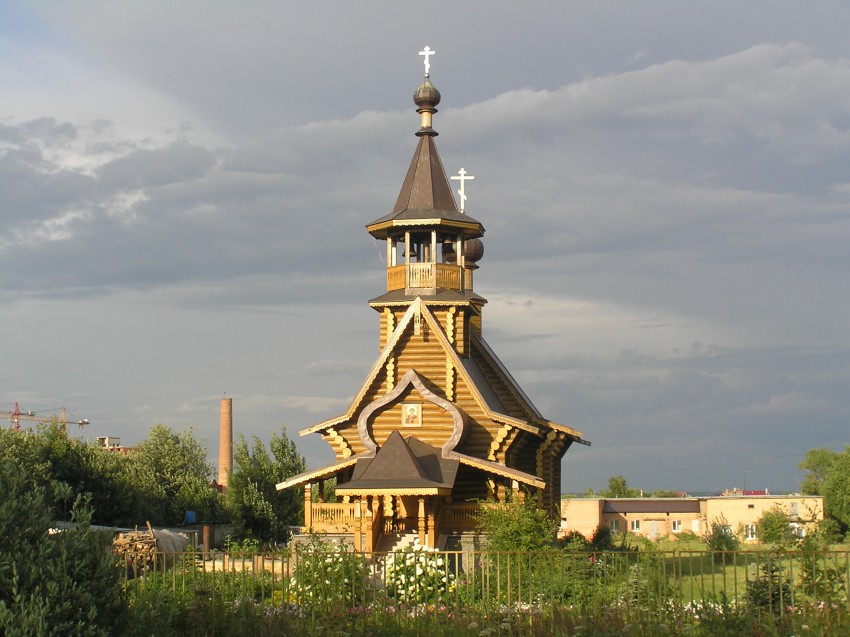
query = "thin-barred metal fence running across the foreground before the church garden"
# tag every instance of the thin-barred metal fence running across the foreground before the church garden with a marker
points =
(663, 584)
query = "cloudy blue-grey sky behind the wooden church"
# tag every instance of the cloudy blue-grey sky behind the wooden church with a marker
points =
(665, 187)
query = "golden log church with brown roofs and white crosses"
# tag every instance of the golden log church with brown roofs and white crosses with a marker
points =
(439, 424)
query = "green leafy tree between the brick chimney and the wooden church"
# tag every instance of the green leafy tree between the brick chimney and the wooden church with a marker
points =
(260, 509)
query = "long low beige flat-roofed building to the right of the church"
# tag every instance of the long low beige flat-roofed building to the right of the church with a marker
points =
(657, 518)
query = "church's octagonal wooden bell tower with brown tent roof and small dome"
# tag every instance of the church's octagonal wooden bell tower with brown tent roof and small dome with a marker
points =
(432, 248)
